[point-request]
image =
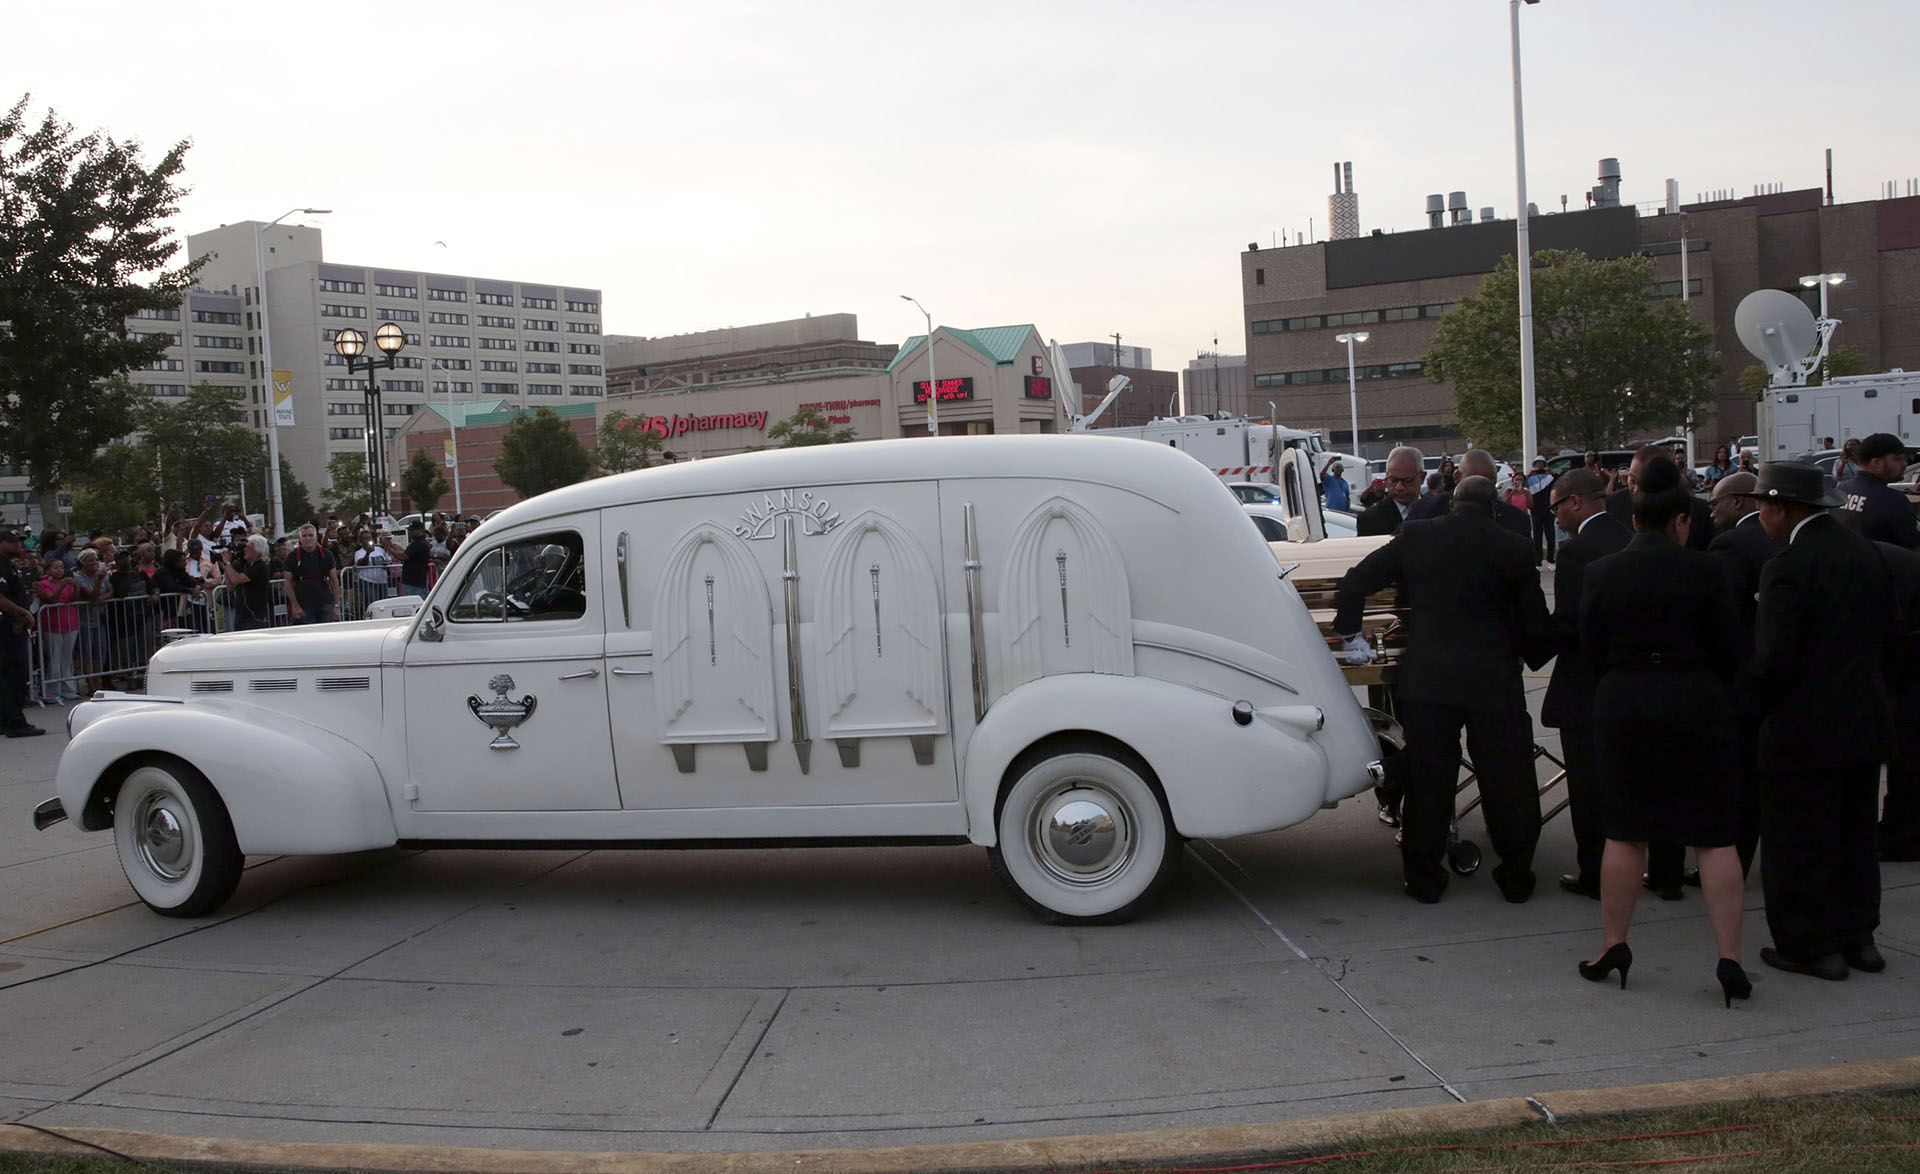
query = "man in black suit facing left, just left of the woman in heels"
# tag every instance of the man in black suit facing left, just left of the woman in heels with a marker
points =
(1581, 510)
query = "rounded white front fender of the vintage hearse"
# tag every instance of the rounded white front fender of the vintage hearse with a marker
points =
(289, 787)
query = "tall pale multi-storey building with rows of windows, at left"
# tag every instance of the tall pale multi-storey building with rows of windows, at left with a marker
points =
(469, 339)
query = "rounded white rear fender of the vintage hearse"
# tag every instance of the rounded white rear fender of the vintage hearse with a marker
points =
(1220, 777)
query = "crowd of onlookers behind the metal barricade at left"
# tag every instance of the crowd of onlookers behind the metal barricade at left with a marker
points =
(87, 610)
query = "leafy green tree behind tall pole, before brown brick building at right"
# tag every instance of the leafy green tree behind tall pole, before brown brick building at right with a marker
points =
(1608, 358)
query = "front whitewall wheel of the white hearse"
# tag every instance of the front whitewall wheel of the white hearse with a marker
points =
(176, 841)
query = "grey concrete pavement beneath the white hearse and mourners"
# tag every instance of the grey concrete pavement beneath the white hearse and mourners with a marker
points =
(852, 998)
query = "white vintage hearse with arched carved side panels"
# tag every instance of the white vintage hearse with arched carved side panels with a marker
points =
(1022, 643)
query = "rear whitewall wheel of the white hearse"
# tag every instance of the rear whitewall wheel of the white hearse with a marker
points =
(1084, 837)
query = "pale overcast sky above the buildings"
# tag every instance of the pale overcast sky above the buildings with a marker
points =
(1088, 168)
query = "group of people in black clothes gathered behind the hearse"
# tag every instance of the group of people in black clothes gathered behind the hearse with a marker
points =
(1771, 629)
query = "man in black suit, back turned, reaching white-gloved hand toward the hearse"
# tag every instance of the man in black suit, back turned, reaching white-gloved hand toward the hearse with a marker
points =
(1474, 614)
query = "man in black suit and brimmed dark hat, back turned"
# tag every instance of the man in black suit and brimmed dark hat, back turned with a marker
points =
(1825, 637)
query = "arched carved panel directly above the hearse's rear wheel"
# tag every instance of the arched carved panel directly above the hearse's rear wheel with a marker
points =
(1065, 599)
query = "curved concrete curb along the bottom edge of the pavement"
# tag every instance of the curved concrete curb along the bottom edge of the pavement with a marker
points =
(1038, 1154)
